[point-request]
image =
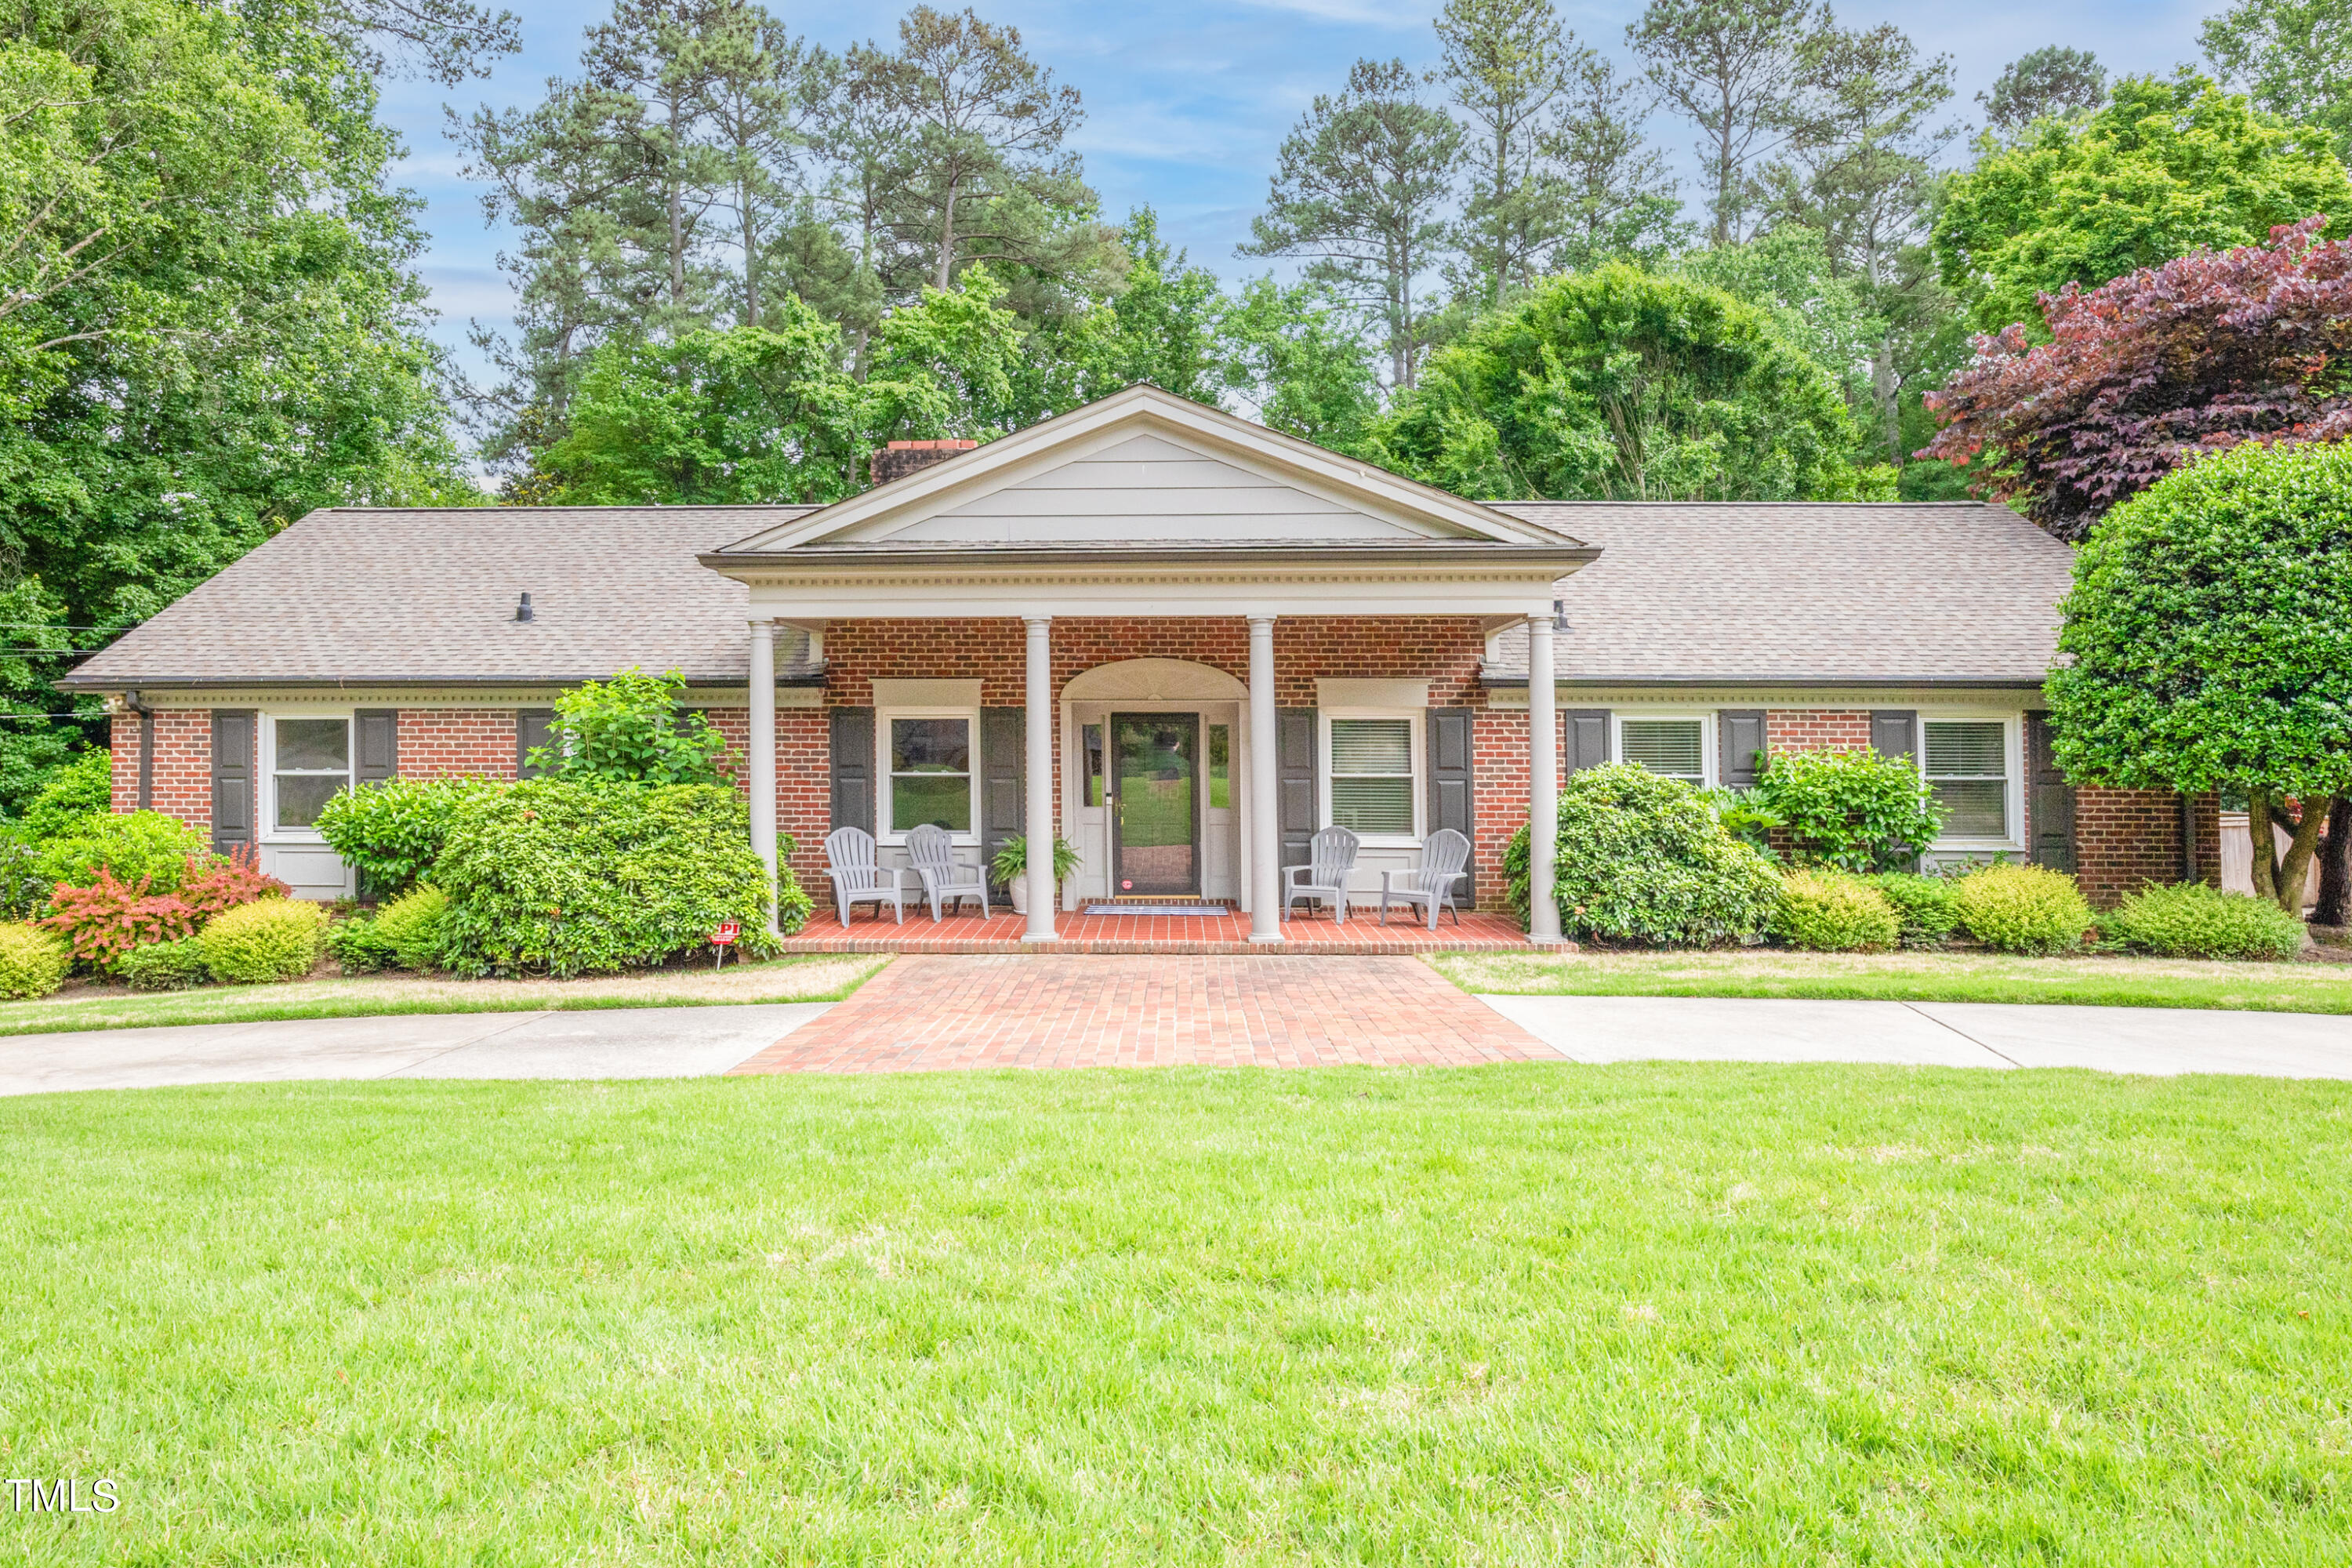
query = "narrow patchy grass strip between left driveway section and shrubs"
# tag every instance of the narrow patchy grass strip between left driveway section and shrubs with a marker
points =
(114, 1007)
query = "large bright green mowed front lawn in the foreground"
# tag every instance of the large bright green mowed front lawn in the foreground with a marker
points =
(1511, 1315)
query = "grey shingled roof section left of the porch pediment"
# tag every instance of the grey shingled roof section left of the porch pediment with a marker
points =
(361, 596)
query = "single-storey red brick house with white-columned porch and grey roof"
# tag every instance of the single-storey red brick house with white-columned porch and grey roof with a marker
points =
(1170, 636)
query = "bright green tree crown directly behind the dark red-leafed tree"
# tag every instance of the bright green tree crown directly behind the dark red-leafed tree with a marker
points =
(2165, 168)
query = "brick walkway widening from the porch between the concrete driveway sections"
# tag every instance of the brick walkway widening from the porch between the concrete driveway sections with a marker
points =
(942, 1012)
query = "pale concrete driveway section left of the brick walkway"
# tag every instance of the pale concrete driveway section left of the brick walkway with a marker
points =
(636, 1043)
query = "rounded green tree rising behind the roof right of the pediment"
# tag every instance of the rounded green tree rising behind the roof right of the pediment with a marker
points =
(1624, 384)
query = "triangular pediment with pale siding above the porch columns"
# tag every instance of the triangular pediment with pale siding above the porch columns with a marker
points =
(1147, 467)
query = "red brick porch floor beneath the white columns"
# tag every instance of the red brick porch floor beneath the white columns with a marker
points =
(1196, 934)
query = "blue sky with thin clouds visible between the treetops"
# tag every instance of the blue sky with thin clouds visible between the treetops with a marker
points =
(1189, 100)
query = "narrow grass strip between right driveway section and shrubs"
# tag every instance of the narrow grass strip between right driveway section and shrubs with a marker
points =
(1909, 977)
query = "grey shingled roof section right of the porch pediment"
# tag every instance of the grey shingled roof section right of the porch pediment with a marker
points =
(1803, 594)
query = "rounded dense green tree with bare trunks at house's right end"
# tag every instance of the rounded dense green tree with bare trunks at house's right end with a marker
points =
(2210, 645)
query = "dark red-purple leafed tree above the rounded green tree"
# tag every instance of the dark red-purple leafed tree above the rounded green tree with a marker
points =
(2151, 370)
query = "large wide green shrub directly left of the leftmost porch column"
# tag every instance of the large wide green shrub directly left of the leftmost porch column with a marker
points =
(563, 878)
